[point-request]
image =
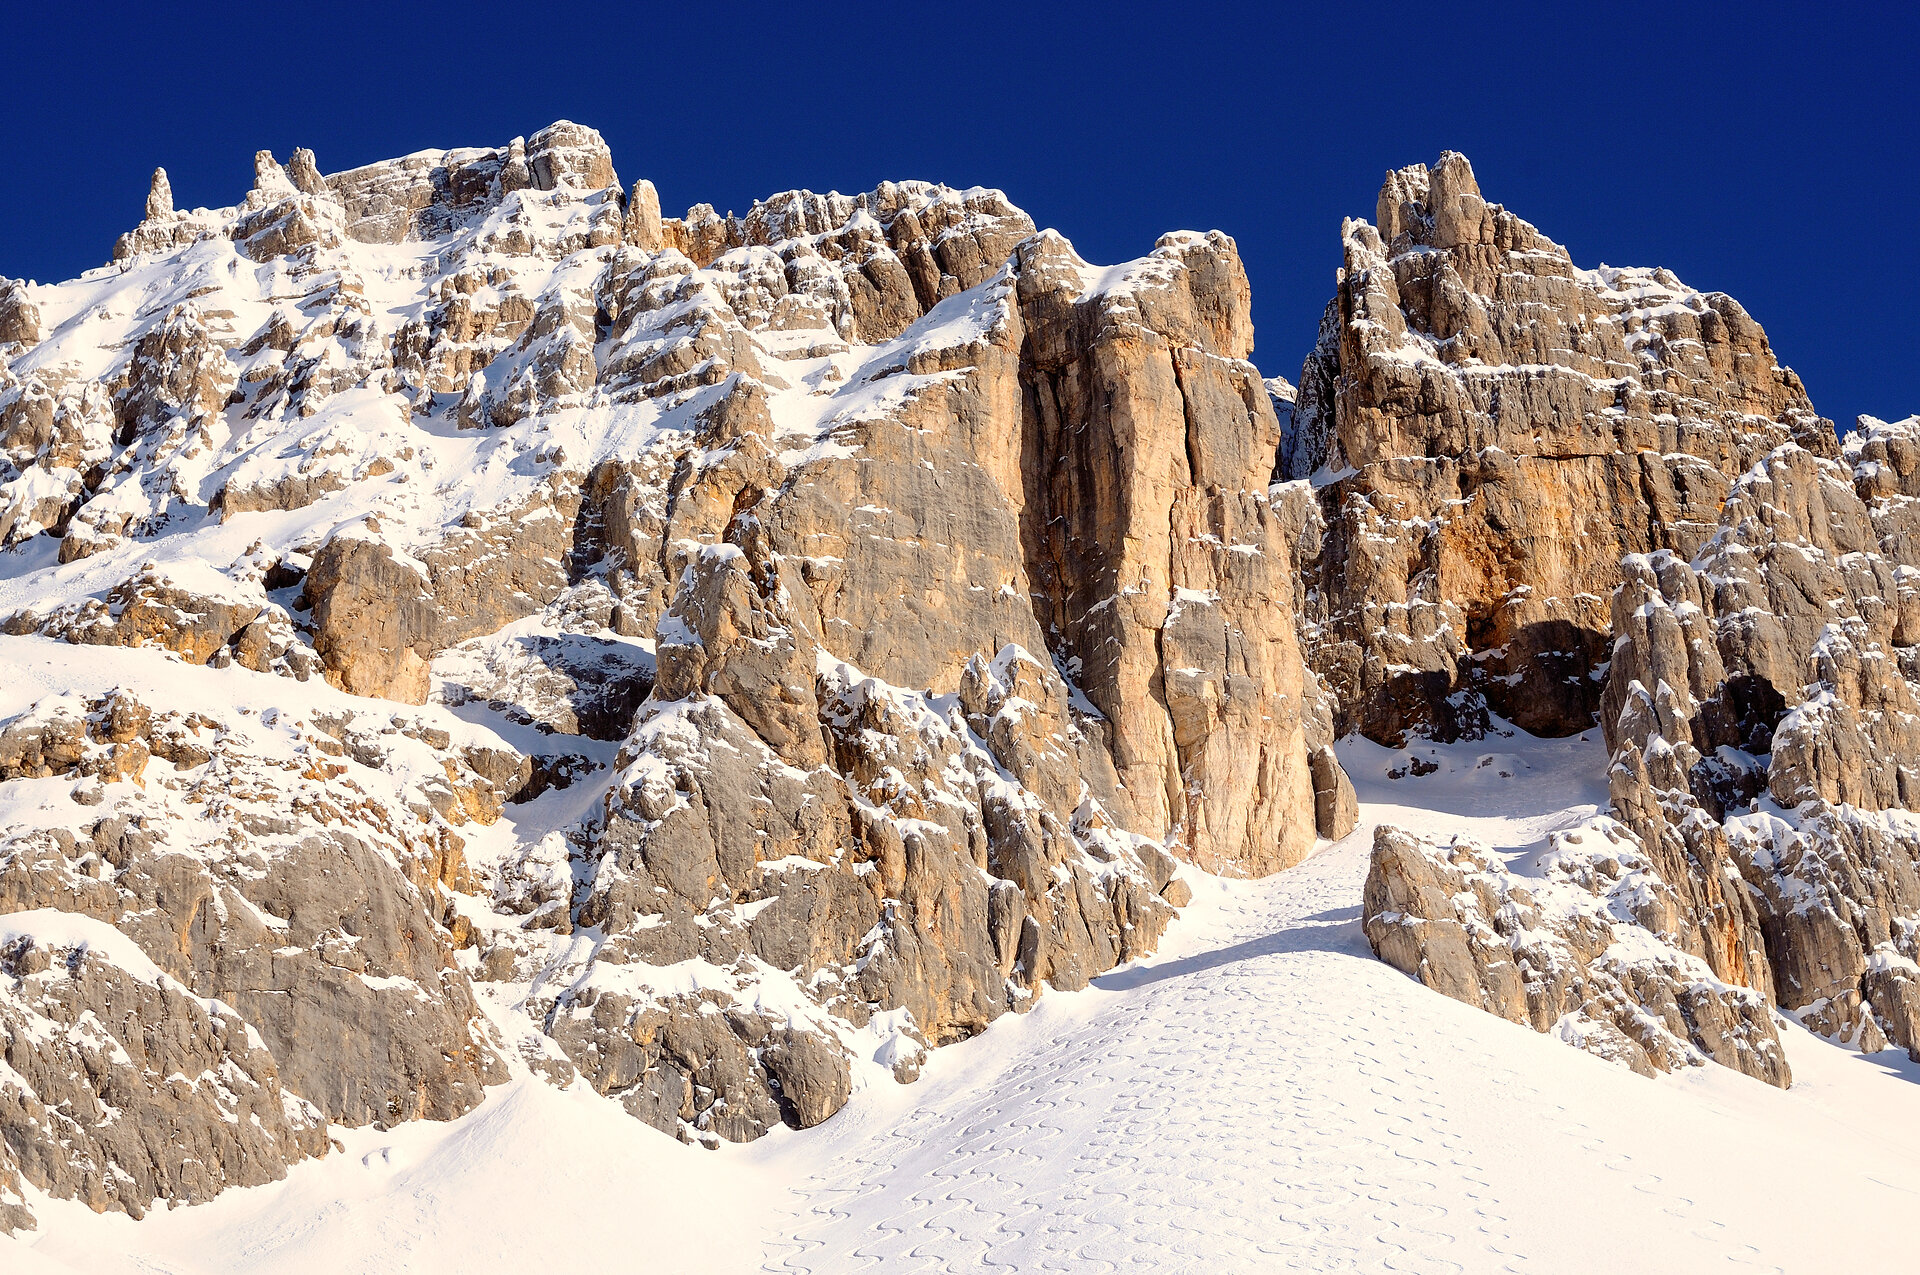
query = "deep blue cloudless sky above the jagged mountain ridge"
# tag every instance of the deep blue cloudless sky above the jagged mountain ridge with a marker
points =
(1762, 151)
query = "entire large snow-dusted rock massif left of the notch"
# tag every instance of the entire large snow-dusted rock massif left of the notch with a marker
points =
(481, 625)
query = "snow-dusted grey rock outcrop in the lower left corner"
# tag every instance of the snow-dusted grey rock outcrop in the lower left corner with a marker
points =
(252, 923)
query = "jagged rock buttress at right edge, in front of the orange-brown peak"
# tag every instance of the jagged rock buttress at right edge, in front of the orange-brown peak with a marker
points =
(1764, 725)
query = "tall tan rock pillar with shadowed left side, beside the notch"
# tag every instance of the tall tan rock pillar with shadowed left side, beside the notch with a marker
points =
(1164, 573)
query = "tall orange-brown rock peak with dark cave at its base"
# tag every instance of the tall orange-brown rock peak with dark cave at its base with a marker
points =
(1491, 429)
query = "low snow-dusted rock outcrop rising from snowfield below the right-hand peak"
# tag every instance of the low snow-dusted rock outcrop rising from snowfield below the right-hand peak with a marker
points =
(1573, 950)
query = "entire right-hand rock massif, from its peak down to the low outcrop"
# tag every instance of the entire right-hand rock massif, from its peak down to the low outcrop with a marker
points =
(1554, 494)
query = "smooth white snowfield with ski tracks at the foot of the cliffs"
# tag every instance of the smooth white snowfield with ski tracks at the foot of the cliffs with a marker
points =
(1262, 1095)
